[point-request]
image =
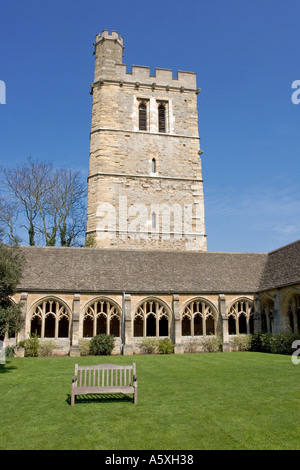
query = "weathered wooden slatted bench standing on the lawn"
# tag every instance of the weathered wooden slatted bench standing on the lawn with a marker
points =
(104, 378)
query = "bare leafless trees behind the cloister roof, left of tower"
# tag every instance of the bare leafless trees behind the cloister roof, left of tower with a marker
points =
(48, 203)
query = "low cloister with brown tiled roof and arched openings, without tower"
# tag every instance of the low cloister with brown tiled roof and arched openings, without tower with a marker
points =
(73, 293)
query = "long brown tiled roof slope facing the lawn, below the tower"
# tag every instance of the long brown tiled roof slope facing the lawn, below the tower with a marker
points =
(113, 270)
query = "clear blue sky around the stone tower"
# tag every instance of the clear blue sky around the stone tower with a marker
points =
(246, 58)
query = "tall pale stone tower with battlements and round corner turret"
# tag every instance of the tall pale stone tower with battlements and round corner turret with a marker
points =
(145, 178)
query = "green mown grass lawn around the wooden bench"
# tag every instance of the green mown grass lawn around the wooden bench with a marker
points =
(185, 402)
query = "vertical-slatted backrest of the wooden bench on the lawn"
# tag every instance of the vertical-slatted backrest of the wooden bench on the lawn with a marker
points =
(105, 375)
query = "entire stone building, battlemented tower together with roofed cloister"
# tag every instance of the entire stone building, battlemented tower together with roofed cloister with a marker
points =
(149, 273)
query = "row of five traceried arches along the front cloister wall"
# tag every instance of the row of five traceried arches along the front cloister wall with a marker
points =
(53, 317)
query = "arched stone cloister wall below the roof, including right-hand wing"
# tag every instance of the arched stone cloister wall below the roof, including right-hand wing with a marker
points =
(133, 318)
